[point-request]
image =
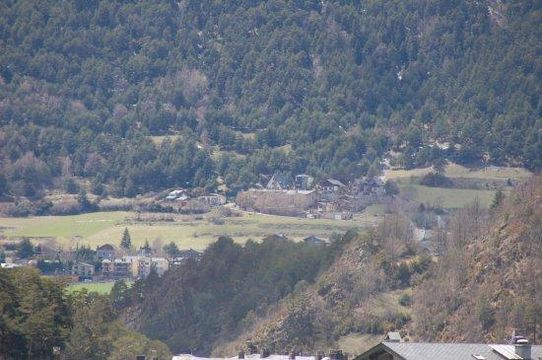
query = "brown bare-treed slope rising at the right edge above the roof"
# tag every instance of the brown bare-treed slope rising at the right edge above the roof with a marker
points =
(490, 282)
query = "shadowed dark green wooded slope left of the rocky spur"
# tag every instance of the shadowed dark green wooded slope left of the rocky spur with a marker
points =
(197, 303)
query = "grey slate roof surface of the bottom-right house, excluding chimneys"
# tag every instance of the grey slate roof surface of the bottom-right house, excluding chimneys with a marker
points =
(446, 351)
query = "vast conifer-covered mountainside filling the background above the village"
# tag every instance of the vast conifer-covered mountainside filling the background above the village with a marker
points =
(323, 87)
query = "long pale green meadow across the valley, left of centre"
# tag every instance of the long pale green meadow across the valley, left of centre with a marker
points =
(107, 227)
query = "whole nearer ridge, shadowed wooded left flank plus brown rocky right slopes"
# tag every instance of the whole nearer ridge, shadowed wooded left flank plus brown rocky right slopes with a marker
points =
(481, 281)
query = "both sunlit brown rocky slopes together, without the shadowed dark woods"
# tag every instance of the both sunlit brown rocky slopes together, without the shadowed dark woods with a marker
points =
(486, 284)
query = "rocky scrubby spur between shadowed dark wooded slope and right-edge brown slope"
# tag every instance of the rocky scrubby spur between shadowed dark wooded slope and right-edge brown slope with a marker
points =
(365, 291)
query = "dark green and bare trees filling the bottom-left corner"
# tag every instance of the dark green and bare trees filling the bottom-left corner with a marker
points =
(40, 319)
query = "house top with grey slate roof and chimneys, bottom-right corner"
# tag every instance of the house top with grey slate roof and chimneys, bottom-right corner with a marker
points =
(393, 348)
